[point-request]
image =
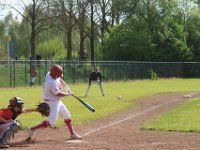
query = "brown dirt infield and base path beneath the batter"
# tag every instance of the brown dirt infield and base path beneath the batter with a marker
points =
(120, 131)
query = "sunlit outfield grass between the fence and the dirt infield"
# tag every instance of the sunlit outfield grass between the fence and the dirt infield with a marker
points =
(129, 91)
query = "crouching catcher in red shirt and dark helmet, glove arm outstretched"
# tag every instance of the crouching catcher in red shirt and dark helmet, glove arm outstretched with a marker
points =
(8, 125)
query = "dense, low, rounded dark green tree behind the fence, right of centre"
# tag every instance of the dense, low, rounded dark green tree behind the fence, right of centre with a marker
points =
(128, 41)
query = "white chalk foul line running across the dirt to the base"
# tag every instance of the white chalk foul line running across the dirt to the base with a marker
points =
(133, 116)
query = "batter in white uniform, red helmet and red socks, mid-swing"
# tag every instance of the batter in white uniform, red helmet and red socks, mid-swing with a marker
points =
(53, 93)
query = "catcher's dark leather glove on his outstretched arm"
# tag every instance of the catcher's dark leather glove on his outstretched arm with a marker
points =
(43, 108)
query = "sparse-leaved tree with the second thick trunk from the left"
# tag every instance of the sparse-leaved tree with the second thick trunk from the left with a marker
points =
(63, 17)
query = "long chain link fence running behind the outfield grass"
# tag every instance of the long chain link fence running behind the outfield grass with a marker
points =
(18, 73)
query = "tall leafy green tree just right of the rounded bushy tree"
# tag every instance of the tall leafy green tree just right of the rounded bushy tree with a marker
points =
(166, 31)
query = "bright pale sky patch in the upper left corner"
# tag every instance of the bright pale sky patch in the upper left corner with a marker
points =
(6, 6)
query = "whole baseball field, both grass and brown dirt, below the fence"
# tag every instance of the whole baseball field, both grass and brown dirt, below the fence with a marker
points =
(143, 114)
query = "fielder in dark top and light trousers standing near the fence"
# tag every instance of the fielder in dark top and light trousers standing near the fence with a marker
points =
(95, 76)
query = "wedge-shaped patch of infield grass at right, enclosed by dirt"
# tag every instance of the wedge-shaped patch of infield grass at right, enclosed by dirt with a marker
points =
(184, 118)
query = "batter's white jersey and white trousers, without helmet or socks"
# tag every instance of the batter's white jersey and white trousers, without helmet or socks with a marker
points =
(57, 108)
